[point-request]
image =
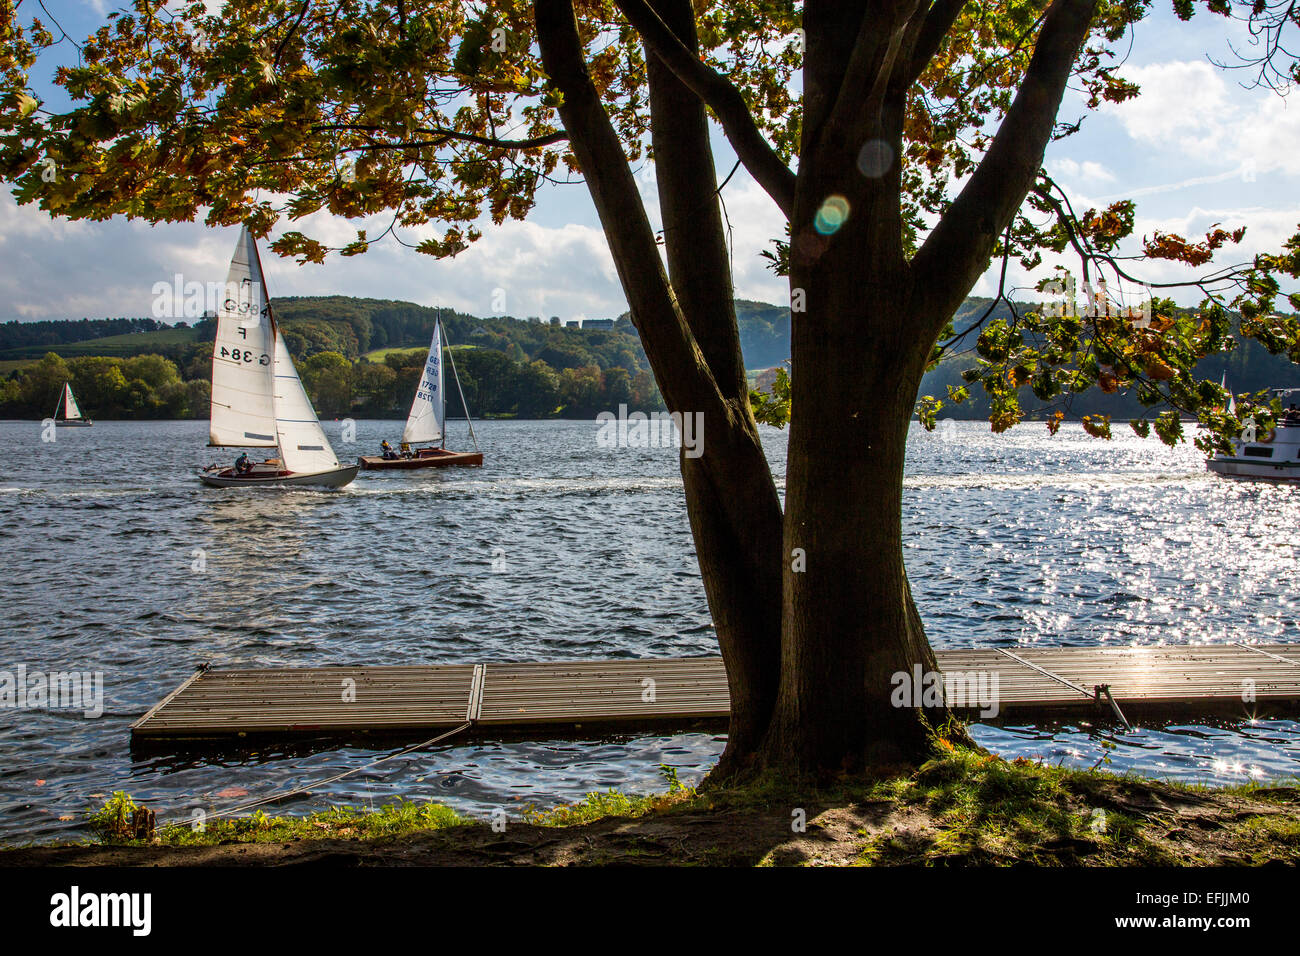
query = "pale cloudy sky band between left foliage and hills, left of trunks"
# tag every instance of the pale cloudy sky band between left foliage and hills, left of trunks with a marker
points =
(60, 270)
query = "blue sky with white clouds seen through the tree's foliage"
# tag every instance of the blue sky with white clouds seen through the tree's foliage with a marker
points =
(1197, 149)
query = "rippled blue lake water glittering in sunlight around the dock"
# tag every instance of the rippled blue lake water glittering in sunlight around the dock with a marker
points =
(114, 559)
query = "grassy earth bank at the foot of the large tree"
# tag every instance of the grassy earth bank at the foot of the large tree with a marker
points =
(961, 808)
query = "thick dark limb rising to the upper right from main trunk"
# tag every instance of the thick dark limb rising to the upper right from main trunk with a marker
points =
(960, 246)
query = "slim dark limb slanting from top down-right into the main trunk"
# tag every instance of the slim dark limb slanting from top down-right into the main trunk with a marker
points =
(722, 97)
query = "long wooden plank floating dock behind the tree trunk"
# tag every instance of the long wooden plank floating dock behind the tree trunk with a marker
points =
(531, 699)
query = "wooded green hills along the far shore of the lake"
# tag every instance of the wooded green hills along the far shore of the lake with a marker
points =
(509, 367)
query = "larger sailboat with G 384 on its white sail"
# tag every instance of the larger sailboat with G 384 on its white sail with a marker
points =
(258, 400)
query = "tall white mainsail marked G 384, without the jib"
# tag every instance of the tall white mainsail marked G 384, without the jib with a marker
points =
(244, 412)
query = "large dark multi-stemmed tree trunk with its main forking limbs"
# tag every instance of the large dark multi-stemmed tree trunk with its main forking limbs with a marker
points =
(848, 625)
